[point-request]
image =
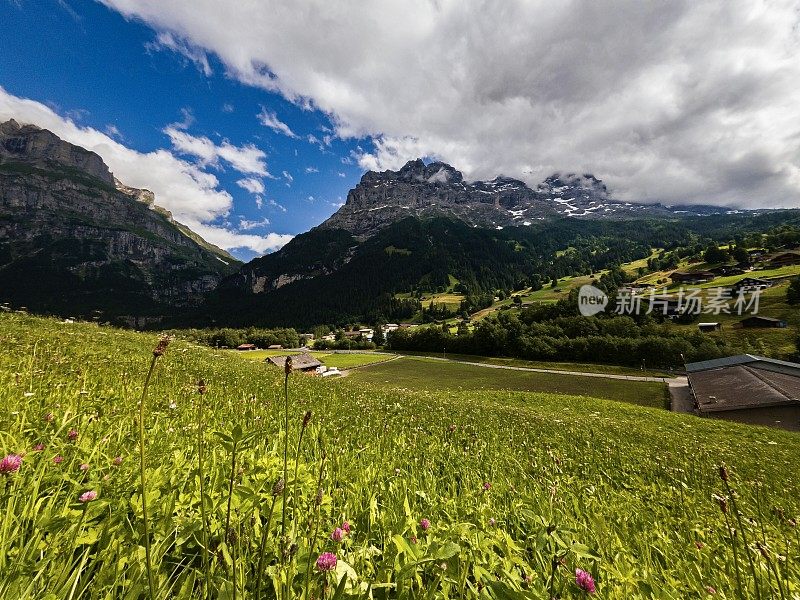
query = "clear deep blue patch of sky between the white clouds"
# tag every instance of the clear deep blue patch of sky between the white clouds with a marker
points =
(90, 65)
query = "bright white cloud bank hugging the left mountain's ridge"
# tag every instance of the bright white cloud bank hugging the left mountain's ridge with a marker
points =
(190, 193)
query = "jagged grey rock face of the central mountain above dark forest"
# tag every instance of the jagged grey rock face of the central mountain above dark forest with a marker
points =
(422, 190)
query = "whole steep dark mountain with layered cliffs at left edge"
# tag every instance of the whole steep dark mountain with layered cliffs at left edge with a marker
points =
(73, 240)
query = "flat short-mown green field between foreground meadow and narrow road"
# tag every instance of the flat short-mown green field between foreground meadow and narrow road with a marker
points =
(432, 375)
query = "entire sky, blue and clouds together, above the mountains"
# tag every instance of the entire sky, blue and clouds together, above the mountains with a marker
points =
(673, 102)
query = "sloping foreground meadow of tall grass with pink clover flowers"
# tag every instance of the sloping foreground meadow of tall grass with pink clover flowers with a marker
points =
(446, 494)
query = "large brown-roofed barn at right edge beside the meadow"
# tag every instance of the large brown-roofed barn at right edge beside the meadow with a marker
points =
(748, 389)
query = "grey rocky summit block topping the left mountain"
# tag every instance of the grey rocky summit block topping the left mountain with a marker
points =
(41, 148)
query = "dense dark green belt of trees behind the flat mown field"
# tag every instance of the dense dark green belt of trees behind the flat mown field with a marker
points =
(554, 334)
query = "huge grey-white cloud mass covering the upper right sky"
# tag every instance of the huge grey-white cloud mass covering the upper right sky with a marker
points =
(672, 101)
